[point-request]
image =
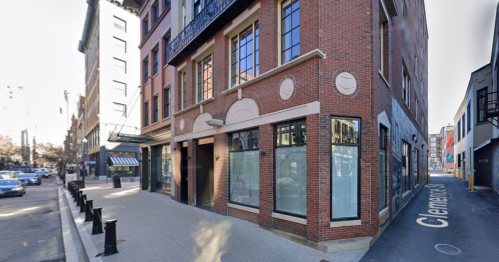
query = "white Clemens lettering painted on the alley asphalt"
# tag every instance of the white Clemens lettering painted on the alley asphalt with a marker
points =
(437, 208)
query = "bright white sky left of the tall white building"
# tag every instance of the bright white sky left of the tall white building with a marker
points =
(38, 52)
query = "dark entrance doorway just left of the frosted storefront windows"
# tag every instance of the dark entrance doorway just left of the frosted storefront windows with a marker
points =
(204, 174)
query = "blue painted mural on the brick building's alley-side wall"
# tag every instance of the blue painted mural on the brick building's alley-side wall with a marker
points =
(403, 129)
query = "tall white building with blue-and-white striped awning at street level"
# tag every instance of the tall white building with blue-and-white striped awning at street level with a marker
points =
(109, 41)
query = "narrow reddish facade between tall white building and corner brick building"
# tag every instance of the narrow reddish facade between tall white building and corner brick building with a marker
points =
(156, 92)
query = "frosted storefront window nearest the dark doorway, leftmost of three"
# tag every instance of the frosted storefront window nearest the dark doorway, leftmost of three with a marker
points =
(245, 168)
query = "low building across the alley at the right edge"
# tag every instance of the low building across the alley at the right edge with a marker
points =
(473, 131)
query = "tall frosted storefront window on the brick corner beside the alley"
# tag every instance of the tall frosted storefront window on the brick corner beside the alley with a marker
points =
(345, 166)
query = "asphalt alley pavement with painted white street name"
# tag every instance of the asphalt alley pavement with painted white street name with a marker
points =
(470, 225)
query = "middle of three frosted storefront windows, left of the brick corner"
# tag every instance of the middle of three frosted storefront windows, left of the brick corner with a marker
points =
(291, 168)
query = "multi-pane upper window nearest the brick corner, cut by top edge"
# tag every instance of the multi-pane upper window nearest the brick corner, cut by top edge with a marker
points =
(290, 30)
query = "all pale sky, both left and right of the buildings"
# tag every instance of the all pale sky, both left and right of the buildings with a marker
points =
(38, 52)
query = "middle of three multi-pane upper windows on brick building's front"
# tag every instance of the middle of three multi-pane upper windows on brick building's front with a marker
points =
(245, 50)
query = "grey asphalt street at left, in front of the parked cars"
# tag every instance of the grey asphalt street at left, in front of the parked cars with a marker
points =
(30, 226)
